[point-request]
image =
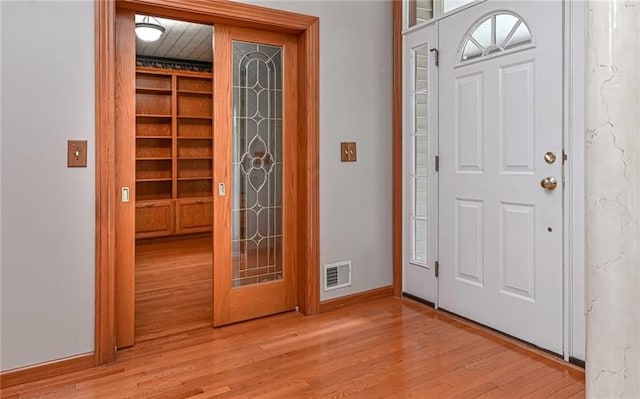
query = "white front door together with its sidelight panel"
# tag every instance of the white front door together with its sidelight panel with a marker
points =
(484, 230)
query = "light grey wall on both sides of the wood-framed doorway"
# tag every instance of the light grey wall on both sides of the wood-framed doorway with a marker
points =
(47, 247)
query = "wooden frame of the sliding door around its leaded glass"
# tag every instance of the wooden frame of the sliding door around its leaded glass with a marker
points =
(242, 303)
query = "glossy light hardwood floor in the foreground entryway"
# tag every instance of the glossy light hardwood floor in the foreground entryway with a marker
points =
(385, 348)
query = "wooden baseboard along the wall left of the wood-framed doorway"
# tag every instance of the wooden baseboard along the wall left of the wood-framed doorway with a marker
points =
(45, 370)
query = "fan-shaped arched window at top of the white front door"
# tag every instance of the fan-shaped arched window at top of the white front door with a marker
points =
(500, 31)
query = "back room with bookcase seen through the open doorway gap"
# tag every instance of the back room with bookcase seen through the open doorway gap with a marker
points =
(174, 172)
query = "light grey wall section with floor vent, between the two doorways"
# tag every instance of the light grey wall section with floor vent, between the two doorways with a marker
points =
(355, 105)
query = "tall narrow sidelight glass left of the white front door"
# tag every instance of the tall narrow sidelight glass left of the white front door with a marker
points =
(420, 153)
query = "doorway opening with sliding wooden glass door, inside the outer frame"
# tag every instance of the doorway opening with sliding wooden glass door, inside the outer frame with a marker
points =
(191, 117)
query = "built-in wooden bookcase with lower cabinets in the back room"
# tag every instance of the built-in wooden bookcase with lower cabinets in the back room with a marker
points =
(174, 152)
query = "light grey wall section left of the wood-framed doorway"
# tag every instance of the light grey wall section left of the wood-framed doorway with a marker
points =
(48, 234)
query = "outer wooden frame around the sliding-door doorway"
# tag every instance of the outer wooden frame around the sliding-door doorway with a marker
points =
(306, 28)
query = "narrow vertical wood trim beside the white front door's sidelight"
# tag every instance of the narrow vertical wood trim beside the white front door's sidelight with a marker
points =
(397, 148)
